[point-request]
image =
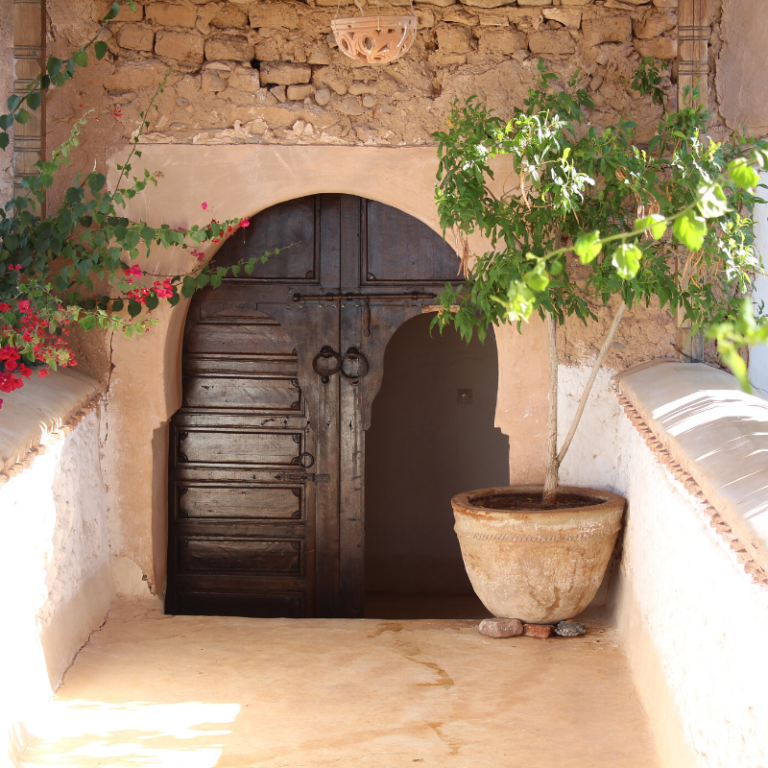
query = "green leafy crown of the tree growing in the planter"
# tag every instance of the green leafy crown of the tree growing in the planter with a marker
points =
(669, 218)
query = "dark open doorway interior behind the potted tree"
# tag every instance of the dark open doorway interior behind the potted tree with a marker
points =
(431, 437)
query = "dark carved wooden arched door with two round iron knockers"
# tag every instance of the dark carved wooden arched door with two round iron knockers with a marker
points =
(280, 369)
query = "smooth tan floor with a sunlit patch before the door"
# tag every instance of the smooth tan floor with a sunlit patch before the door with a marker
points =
(190, 692)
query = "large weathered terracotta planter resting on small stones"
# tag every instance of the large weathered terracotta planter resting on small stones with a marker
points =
(536, 565)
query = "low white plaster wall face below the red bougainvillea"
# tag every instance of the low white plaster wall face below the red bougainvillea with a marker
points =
(54, 568)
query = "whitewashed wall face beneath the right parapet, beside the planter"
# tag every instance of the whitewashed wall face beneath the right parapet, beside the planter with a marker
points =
(693, 621)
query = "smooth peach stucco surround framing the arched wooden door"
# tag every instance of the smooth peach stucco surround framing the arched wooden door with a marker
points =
(240, 181)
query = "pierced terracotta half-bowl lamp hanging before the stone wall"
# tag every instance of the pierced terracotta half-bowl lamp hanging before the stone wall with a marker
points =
(375, 39)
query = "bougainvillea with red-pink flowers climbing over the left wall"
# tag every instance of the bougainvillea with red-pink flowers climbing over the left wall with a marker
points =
(49, 263)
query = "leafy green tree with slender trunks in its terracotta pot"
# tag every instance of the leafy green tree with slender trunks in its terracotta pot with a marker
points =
(667, 219)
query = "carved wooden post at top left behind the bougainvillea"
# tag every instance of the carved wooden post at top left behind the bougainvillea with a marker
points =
(29, 60)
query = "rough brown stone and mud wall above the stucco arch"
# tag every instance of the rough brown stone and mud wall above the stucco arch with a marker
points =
(271, 72)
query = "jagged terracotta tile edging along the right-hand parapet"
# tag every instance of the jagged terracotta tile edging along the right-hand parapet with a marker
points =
(753, 569)
